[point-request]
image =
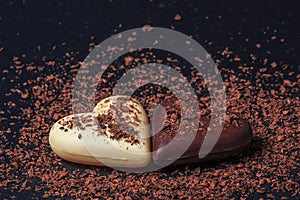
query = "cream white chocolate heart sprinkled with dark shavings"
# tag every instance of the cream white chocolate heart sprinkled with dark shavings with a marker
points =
(116, 134)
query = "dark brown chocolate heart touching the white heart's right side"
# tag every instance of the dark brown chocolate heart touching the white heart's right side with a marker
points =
(235, 137)
